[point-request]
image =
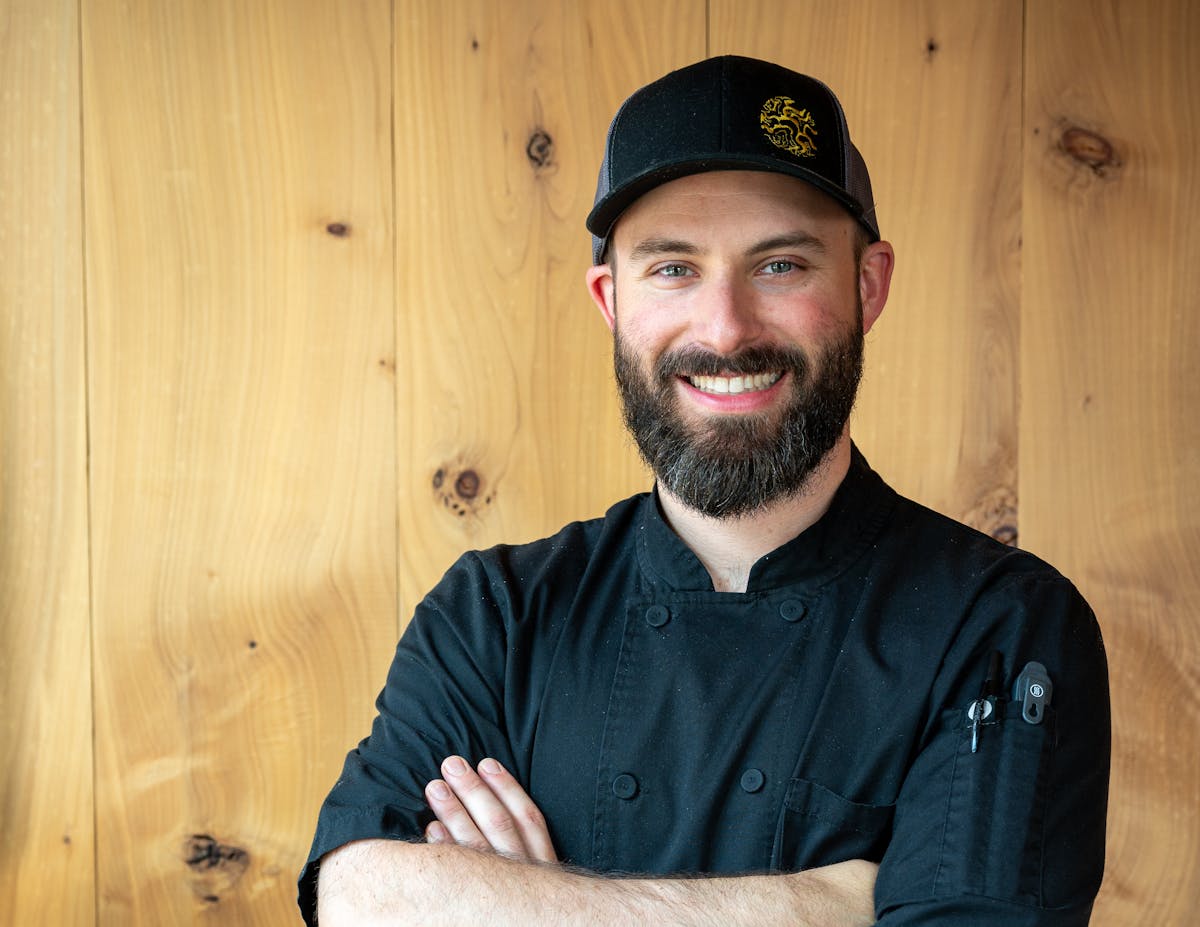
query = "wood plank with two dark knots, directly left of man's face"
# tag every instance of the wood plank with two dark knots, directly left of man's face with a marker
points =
(508, 417)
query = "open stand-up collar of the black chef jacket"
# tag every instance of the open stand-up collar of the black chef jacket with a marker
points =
(817, 555)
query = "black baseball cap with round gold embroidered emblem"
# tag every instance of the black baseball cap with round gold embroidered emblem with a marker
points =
(729, 113)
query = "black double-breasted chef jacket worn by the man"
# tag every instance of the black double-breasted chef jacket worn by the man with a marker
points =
(820, 716)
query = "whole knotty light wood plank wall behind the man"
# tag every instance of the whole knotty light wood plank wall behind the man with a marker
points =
(292, 313)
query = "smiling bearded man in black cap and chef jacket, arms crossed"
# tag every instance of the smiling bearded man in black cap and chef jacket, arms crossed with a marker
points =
(820, 701)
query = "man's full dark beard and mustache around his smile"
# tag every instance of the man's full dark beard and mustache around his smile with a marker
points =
(736, 465)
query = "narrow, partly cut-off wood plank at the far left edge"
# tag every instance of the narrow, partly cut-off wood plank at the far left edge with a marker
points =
(46, 779)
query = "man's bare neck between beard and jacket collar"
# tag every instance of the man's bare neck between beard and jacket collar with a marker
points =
(730, 547)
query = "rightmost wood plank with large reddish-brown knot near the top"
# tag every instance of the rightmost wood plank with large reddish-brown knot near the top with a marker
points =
(1111, 344)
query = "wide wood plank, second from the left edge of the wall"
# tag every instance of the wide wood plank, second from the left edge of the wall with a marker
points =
(242, 375)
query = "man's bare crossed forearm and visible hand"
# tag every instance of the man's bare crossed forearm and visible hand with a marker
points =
(489, 858)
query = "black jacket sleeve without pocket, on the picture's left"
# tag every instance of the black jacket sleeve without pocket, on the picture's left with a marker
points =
(443, 696)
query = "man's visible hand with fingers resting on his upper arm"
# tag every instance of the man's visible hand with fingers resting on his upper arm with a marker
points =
(489, 811)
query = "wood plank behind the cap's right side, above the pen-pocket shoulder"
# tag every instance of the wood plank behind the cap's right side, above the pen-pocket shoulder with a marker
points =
(933, 99)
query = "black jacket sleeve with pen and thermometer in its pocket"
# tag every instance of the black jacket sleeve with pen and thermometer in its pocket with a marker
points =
(1012, 833)
